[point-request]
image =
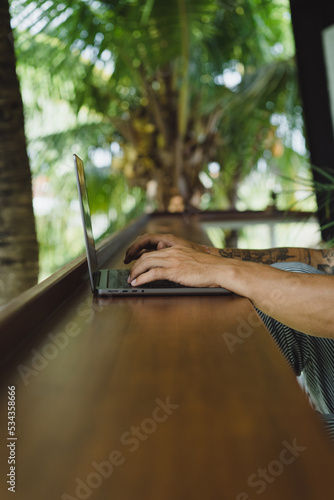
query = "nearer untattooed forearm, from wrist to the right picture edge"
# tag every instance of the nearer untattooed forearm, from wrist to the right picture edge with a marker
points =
(302, 301)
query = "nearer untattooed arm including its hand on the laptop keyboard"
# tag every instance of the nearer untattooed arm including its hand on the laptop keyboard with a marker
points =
(302, 301)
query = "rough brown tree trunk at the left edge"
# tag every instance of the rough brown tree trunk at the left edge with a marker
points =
(18, 242)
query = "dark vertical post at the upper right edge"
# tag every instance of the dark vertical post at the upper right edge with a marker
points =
(309, 19)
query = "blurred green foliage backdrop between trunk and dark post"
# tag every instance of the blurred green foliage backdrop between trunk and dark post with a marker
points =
(180, 104)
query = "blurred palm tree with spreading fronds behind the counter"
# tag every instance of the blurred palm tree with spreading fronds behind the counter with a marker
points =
(150, 70)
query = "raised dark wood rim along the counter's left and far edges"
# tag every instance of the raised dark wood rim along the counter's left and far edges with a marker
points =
(24, 313)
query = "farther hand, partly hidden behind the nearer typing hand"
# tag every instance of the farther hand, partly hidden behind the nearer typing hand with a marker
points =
(150, 242)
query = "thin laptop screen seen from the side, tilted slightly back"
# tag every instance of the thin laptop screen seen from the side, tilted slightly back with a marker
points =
(86, 219)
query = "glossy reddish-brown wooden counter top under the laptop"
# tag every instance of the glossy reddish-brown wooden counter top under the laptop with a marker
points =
(158, 398)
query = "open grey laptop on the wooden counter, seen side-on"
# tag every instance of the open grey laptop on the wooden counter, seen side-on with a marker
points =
(114, 281)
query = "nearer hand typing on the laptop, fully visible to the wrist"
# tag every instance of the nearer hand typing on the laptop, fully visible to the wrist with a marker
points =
(178, 263)
